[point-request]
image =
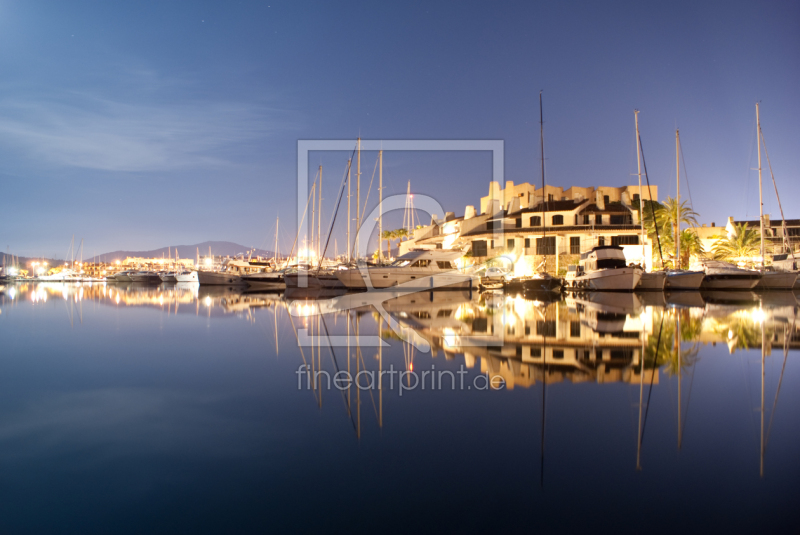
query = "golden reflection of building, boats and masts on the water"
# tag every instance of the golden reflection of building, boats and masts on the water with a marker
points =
(648, 340)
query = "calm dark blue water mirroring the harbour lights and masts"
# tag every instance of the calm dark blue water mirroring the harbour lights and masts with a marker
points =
(172, 409)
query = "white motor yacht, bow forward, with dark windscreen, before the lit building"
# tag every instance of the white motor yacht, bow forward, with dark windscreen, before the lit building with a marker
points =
(604, 269)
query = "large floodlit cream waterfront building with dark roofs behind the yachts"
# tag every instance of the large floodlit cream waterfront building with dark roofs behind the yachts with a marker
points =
(543, 229)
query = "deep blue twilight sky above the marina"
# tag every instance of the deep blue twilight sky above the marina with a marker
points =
(141, 124)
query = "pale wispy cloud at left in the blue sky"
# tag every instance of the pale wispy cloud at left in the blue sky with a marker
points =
(78, 129)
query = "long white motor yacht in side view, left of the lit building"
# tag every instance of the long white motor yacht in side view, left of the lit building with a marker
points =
(430, 269)
